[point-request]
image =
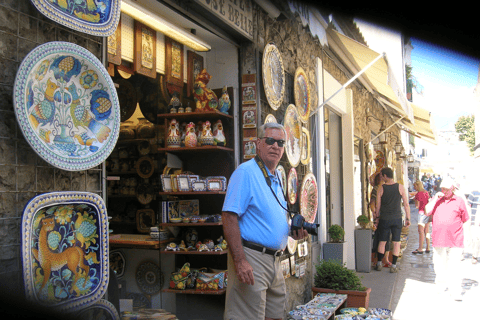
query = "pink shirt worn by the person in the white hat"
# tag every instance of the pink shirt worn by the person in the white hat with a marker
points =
(448, 218)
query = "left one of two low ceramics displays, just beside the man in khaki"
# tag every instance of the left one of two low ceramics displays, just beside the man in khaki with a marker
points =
(322, 306)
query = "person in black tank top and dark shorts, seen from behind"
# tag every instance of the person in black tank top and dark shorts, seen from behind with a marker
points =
(388, 209)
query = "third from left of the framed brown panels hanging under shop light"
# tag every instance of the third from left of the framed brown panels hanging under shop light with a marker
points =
(174, 62)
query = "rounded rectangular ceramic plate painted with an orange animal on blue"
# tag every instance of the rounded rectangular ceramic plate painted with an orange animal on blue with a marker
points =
(65, 249)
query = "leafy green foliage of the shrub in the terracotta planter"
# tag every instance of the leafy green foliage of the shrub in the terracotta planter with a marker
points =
(333, 275)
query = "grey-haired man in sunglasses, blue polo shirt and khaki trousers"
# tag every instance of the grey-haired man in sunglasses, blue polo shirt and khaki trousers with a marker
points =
(255, 224)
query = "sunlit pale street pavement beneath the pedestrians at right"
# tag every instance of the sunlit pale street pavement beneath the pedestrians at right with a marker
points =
(415, 295)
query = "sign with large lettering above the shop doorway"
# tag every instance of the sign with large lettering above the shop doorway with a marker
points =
(237, 14)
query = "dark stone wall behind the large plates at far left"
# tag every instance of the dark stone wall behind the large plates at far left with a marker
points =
(22, 173)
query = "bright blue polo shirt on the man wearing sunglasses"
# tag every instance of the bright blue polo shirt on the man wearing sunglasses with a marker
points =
(261, 219)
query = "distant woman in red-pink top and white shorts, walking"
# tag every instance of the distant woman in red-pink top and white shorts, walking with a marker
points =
(421, 200)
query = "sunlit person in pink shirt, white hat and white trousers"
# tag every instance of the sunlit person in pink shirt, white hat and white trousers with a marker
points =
(449, 213)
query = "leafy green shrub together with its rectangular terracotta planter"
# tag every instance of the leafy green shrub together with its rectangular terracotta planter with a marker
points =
(333, 277)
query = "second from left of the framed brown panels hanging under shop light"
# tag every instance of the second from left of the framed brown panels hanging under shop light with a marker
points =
(145, 50)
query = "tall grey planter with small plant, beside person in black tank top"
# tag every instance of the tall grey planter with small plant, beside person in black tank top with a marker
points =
(363, 244)
